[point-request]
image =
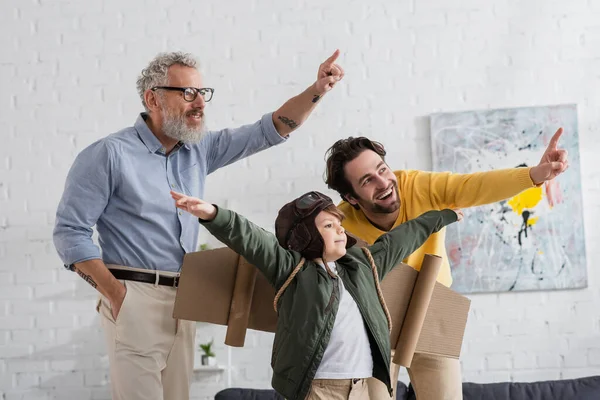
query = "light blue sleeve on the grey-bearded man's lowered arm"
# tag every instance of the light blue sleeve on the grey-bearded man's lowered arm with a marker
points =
(89, 185)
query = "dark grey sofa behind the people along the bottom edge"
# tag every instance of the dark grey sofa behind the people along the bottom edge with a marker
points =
(569, 389)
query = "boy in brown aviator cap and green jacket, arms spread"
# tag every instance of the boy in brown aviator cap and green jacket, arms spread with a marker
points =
(333, 325)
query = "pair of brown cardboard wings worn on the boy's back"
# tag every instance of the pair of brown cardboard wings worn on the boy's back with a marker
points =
(220, 287)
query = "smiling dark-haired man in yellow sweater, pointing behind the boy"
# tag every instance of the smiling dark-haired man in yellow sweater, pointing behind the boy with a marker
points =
(378, 199)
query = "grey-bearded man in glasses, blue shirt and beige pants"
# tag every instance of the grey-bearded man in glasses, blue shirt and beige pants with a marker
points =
(121, 184)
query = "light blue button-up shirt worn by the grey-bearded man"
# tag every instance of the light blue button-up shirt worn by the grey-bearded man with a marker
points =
(121, 185)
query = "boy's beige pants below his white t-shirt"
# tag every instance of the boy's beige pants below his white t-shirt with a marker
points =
(338, 389)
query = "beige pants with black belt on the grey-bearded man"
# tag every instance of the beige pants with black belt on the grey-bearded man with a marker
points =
(150, 354)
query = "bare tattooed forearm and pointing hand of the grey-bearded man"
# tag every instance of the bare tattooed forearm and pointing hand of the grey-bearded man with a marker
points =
(296, 110)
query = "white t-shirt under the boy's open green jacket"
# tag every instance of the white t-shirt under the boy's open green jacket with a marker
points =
(348, 353)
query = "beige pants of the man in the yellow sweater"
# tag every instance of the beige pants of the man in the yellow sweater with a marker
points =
(432, 377)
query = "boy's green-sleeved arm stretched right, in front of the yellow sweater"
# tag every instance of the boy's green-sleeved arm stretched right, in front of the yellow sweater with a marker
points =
(393, 247)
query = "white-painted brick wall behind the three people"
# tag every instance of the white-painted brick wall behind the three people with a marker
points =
(68, 70)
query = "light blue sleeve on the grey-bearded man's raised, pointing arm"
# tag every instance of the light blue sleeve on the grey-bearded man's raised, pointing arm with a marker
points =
(229, 145)
